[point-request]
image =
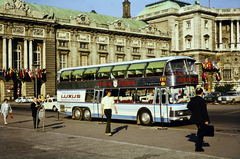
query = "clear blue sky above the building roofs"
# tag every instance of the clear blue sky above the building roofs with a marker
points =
(114, 7)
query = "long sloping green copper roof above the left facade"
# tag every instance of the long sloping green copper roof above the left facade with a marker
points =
(66, 13)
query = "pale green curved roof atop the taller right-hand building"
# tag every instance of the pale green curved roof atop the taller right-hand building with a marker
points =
(159, 6)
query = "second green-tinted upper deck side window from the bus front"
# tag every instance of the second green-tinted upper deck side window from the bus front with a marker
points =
(136, 70)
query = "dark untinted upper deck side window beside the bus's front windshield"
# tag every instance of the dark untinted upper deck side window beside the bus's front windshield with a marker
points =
(176, 67)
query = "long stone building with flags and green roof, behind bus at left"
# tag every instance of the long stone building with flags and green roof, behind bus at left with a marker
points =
(35, 36)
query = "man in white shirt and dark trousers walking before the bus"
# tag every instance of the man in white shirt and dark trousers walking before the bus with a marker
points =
(107, 104)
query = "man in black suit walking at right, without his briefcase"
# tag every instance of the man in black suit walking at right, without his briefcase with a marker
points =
(199, 116)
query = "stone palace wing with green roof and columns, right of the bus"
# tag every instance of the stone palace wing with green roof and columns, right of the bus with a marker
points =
(206, 34)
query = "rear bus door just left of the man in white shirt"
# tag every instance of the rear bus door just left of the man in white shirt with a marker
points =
(97, 99)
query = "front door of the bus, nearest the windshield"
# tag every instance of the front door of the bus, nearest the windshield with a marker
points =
(163, 104)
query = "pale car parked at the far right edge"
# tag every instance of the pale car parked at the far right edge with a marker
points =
(230, 97)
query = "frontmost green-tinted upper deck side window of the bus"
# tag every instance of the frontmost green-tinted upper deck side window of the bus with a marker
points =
(155, 68)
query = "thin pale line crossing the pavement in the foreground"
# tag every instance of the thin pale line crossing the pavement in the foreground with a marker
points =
(119, 142)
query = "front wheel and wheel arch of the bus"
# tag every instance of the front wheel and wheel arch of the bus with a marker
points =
(144, 117)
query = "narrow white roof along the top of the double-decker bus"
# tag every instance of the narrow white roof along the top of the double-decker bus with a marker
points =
(167, 59)
